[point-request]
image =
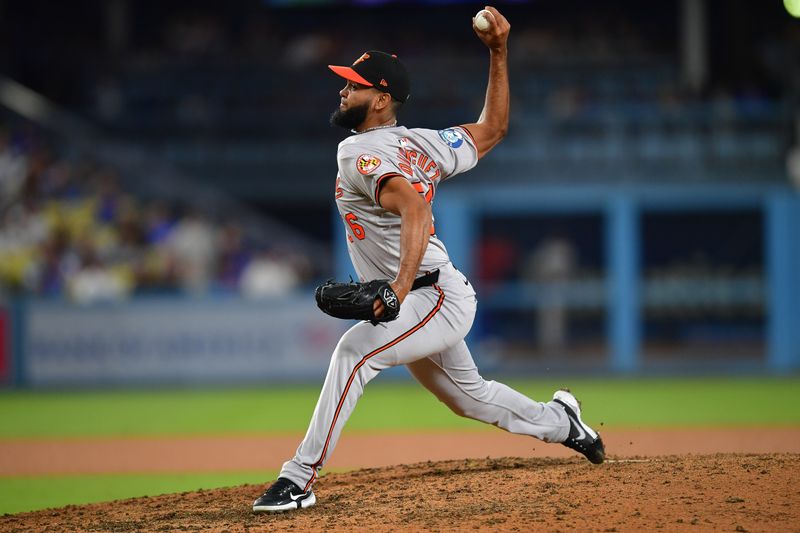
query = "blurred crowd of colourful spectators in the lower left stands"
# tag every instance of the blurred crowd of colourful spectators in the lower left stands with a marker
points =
(69, 228)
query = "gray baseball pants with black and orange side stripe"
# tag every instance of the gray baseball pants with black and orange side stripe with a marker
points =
(427, 337)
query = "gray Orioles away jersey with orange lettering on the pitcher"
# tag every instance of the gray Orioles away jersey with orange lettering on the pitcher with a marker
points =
(421, 156)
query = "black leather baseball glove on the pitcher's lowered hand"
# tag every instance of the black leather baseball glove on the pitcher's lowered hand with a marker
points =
(355, 300)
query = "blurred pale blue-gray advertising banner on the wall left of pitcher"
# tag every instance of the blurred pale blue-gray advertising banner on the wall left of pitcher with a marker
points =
(151, 341)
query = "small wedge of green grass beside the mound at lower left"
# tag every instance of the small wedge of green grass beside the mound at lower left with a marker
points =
(19, 494)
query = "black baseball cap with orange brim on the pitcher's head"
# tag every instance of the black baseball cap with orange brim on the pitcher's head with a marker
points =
(379, 70)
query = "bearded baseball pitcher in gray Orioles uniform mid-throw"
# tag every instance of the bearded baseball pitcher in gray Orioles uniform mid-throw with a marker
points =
(415, 307)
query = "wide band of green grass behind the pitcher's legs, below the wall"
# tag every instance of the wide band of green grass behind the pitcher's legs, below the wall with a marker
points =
(388, 406)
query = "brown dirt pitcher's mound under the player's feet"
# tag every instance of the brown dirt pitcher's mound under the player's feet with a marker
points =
(676, 493)
